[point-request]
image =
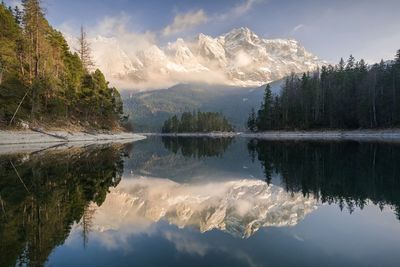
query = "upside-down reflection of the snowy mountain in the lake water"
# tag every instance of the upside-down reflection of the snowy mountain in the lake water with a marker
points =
(238, 207)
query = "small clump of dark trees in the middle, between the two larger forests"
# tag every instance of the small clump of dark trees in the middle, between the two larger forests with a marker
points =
(191, 122)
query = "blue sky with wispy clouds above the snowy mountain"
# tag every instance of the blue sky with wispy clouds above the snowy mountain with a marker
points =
(368, 29)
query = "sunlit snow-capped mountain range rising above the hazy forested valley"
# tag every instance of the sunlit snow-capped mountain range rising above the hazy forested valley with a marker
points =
(239, 58)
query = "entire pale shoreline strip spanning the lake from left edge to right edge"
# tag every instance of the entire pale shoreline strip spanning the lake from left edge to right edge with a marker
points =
(31, 138)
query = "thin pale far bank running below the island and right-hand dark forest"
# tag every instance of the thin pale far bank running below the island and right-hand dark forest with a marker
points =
(334, 135)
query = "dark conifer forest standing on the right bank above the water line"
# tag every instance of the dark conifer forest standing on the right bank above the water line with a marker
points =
(349, 95)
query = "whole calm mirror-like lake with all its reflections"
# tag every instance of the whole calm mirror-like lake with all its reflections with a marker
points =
(202, 202)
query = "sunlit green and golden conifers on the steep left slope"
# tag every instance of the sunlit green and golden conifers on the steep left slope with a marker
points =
(42, 81)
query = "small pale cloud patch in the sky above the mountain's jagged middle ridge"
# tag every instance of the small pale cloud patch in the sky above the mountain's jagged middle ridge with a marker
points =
(186, 21)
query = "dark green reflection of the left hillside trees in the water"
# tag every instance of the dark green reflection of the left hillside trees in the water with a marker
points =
(43, 194)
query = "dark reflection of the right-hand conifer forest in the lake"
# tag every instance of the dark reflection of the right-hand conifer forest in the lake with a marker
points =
(349, 174)
